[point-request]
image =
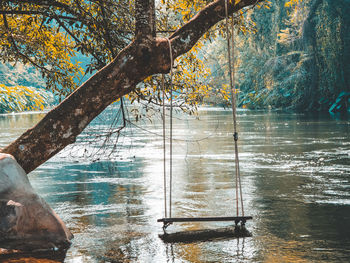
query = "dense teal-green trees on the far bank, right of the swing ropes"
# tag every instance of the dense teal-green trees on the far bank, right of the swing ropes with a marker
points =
(298, 57)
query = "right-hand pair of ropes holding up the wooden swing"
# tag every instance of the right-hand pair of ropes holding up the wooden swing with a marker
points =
(233, 104)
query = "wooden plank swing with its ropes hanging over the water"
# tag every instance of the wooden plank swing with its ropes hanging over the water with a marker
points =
(239, 218)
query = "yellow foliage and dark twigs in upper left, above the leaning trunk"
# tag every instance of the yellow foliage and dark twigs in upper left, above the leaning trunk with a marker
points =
(50, 34)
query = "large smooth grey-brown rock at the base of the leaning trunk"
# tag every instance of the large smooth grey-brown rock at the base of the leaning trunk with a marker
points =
(27, 222)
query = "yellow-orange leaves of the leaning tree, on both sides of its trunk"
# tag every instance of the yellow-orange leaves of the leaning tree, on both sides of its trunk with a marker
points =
(51, 34)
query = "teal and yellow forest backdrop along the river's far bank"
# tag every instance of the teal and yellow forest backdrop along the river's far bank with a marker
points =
(289, 55)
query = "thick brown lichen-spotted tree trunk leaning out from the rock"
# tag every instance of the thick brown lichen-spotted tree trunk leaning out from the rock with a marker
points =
(145, 56)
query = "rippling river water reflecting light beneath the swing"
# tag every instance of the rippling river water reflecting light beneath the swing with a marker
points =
(295, 179)
